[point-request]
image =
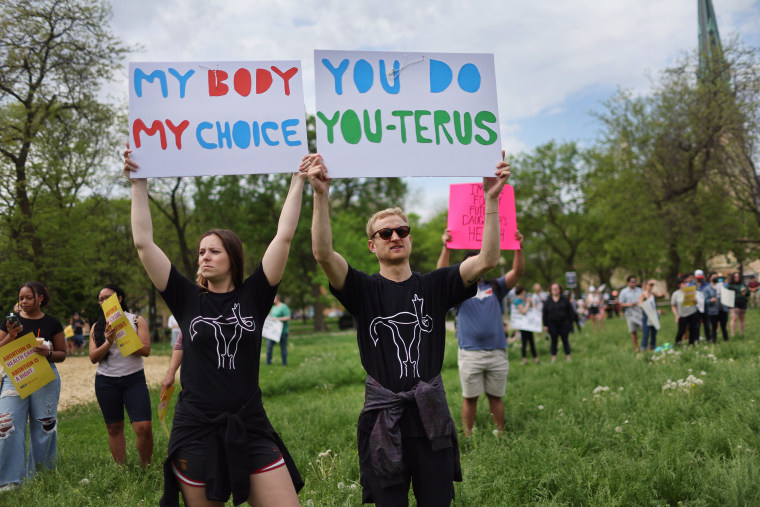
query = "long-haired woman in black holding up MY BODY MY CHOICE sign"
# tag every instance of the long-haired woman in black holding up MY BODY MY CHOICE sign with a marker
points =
(221, 440)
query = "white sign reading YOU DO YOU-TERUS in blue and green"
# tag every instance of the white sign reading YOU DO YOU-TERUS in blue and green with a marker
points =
(406, 114)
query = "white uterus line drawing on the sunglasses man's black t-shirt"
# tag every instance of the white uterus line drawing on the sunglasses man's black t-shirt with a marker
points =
(406, 330)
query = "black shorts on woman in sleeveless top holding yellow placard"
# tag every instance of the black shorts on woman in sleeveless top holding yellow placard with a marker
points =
(117, 393)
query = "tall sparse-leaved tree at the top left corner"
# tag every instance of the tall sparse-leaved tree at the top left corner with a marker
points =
(53, 132)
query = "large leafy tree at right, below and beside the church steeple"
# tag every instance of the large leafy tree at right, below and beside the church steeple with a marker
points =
(664, 152)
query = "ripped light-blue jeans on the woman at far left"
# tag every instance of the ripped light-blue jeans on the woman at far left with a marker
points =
(40, 409)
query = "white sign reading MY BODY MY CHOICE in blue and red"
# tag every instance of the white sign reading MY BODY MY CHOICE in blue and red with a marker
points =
(206, 118)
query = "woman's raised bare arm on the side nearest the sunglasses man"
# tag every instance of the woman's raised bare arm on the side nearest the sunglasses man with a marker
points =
(276, 256)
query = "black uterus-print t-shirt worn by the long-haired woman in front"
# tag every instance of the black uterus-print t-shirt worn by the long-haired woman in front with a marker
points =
(221, 340)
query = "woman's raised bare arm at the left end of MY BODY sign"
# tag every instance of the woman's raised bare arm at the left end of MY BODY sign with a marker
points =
(154, 260)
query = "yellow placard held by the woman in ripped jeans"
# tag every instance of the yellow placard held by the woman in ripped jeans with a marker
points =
(27, 370)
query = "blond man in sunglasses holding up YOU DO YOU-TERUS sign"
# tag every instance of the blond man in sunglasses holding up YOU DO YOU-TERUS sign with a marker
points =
(405, 431)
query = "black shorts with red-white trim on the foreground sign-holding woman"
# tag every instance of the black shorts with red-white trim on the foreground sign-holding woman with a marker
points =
(189, 463)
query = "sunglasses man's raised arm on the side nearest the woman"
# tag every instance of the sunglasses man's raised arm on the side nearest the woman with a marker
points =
(332, 263)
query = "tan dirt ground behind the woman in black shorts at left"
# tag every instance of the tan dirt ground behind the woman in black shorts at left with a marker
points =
(78, 378)
